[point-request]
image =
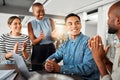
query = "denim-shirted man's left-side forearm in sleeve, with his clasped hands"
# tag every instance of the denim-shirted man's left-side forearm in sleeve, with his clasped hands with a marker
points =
(51, 64)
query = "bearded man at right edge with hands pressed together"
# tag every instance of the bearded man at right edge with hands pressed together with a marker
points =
(108, 70)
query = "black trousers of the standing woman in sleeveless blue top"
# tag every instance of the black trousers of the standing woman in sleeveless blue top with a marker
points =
(39, 54)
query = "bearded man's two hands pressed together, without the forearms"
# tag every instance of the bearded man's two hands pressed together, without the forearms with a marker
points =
(97, 48)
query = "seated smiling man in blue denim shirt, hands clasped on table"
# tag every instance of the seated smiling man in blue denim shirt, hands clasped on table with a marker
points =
(75, 53)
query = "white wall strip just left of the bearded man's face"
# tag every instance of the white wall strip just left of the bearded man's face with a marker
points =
(102, 22)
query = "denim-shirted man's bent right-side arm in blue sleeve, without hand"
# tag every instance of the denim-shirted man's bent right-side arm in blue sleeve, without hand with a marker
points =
(85, 68)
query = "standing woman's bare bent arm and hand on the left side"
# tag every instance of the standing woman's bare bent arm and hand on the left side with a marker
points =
(32, 36)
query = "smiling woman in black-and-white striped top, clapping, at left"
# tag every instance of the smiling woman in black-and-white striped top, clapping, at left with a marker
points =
(14, 42)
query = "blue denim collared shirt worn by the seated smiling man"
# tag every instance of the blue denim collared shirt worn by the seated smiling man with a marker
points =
(77, 58)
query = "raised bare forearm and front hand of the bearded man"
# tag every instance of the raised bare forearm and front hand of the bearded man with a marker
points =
(98, 53)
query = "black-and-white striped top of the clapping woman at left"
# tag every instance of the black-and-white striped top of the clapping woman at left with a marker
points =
(7, 43)
